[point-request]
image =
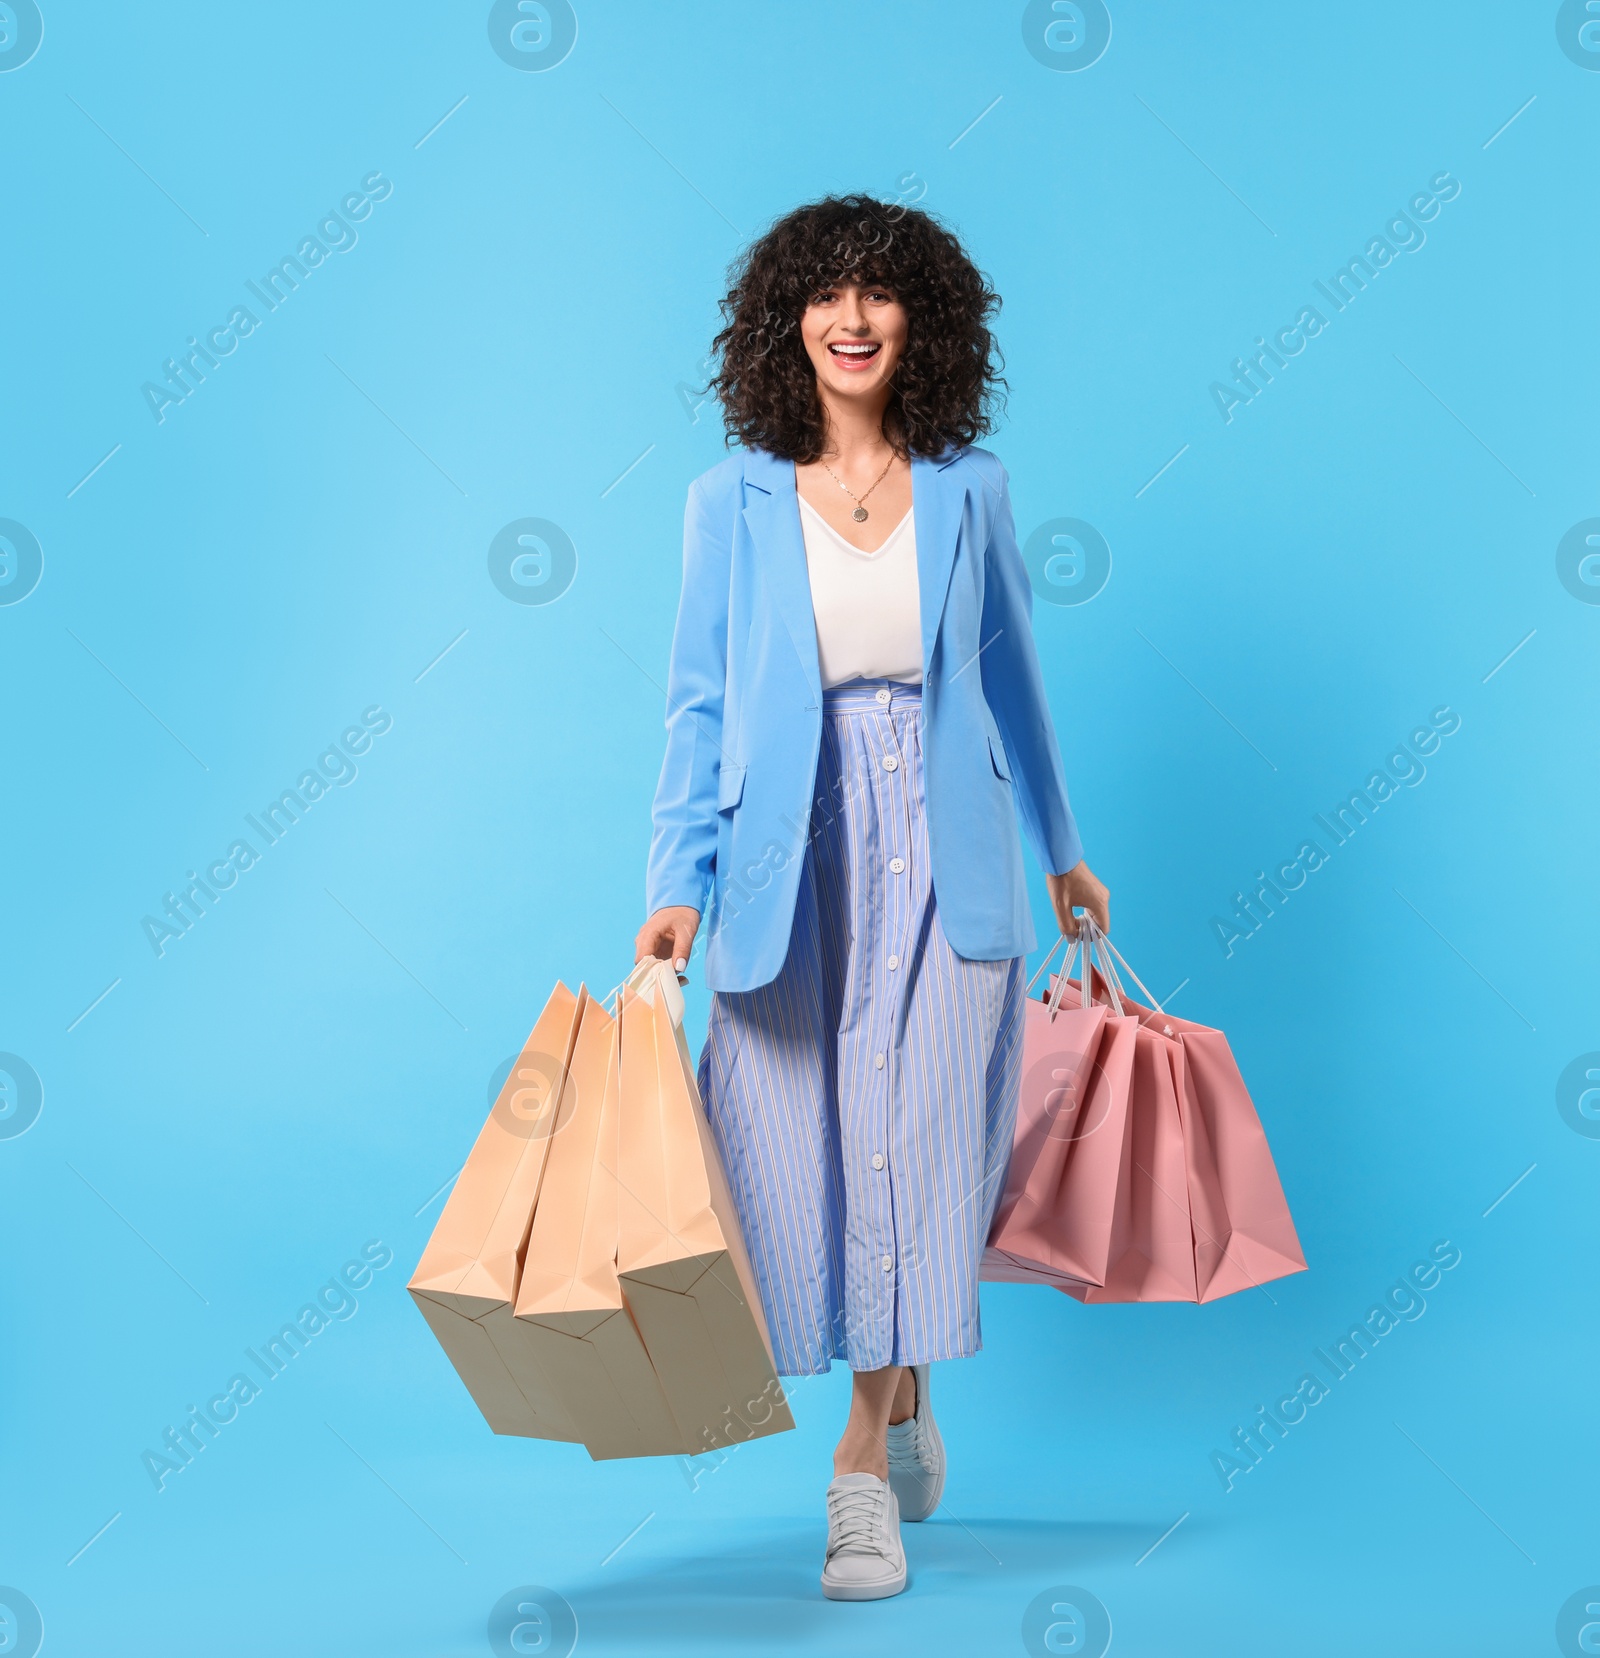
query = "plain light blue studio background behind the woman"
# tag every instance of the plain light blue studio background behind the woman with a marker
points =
(516, 329)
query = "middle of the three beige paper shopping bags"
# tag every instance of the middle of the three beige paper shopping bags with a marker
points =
(571, 1321)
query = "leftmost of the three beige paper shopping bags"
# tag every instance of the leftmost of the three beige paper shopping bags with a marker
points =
(467, 1282)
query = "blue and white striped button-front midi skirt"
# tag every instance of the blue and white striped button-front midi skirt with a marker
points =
(865, 1100)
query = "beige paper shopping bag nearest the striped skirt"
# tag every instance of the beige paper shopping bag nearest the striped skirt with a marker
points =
(681, 1256)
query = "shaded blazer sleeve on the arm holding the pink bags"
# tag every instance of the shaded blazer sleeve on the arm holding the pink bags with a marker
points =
(1016, 692)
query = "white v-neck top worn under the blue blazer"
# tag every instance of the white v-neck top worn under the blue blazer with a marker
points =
(866, 604)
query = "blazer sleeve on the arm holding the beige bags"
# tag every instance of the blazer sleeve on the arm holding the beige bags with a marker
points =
(684, 836)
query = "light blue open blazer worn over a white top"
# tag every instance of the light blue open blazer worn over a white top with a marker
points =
(745, 715)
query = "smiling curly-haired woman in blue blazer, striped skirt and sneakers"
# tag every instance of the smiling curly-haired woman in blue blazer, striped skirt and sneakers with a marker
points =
(856, 720)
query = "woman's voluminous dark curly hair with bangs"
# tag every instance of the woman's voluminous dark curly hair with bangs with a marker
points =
(948, 384)
